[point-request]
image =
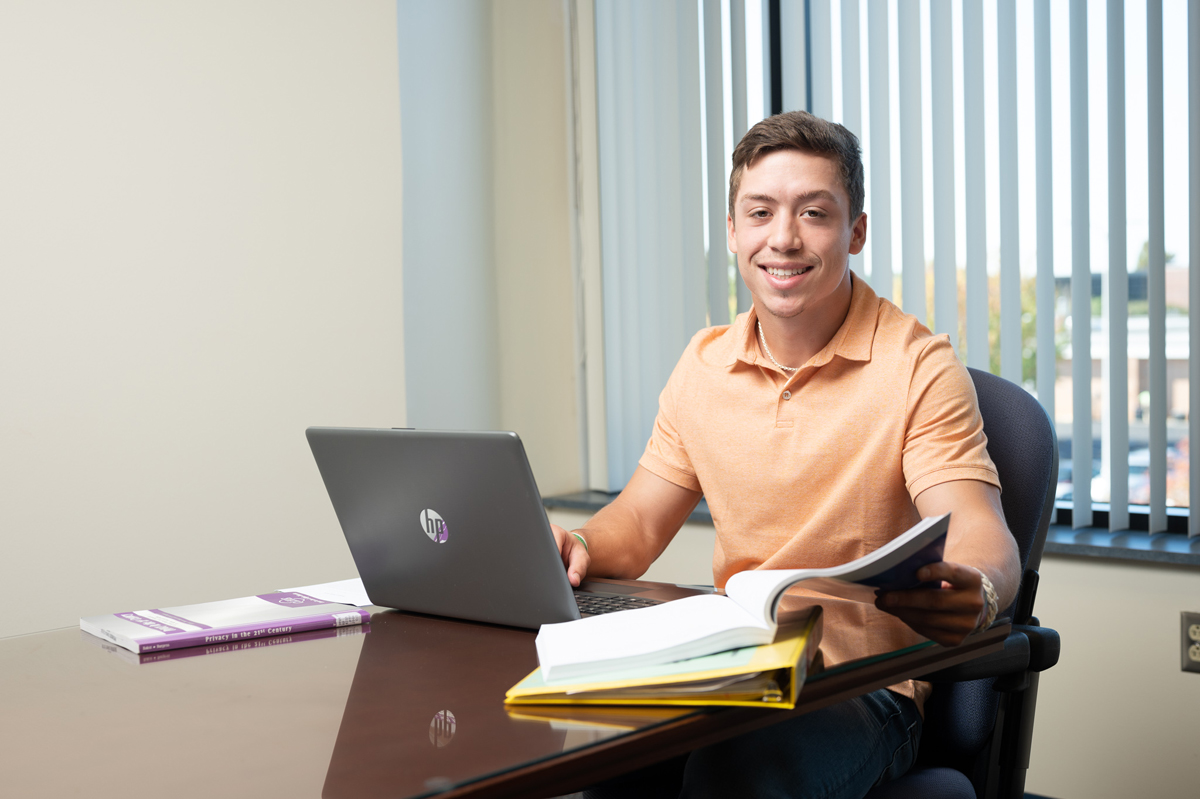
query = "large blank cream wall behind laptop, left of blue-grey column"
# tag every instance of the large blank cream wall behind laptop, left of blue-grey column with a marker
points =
(200, 259)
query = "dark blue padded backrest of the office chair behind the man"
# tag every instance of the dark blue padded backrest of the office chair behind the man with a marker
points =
(1022, 442)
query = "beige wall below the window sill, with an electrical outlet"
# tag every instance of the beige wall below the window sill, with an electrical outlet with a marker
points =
(1117, 718)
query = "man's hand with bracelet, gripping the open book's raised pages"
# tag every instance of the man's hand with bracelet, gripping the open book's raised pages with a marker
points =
(946, 615)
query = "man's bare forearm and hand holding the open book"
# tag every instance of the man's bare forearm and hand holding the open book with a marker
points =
(979, 542)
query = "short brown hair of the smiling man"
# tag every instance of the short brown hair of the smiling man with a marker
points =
(808, 134)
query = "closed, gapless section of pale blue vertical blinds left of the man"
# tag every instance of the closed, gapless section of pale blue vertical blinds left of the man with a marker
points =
(653, 268)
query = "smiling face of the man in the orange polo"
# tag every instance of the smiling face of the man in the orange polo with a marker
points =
(793, 233)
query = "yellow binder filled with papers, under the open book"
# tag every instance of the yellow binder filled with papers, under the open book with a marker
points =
(769, 676)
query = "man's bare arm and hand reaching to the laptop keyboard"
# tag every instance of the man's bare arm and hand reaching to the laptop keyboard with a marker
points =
(629, 533)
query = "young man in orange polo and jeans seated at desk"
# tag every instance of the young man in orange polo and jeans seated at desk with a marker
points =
(819, 425)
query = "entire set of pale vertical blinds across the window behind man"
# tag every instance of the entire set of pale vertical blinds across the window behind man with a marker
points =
(941, 93)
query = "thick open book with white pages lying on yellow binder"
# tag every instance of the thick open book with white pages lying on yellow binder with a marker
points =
(745, 617)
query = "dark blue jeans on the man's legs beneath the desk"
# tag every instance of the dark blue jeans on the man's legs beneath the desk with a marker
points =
(837, 753)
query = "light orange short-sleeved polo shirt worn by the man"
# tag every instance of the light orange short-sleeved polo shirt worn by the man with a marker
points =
(821, 466)
